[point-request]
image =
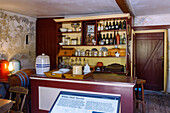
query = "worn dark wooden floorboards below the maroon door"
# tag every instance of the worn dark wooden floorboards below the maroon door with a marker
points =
(156, 102)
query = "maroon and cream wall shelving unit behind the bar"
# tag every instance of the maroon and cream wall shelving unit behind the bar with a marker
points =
(83, 34)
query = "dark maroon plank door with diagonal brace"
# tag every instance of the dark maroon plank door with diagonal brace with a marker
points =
(149, 51)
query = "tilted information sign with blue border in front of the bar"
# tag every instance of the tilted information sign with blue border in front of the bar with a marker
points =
(73, 102)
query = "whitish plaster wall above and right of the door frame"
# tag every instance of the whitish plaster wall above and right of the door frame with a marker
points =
(151, 20)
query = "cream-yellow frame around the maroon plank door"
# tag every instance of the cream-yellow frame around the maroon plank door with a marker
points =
(165, 31)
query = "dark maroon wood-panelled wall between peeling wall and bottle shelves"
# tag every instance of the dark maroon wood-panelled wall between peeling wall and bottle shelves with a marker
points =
(46, 39)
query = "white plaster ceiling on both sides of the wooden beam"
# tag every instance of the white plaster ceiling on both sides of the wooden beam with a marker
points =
(52, 8)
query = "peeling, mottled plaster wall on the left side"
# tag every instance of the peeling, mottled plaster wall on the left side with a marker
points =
(13, 30)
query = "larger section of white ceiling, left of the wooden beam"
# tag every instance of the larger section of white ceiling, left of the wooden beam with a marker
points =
(46, 8)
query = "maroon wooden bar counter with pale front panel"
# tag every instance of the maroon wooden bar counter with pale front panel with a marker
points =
(44, 90)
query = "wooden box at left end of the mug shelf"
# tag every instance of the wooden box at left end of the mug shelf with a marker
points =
(67, 52)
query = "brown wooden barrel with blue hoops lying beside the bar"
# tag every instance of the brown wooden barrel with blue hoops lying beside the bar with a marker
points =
(21, 78)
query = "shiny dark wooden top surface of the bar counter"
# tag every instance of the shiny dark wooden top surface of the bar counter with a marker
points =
(96, 77)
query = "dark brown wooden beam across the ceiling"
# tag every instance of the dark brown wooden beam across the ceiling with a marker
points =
(125, 7)
